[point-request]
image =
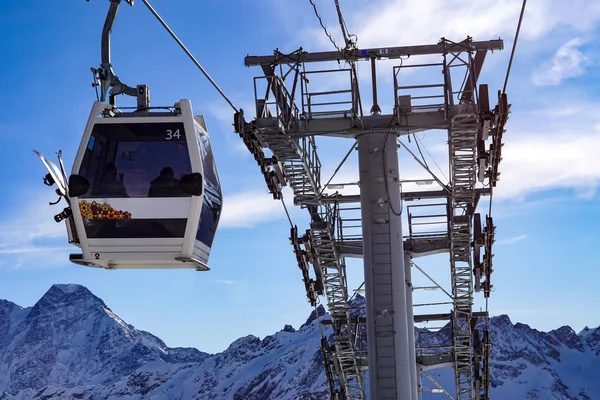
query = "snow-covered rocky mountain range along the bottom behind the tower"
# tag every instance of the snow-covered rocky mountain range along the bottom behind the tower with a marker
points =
(70, 345)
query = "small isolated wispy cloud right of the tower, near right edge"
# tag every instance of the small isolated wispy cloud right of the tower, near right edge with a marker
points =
(568, 62)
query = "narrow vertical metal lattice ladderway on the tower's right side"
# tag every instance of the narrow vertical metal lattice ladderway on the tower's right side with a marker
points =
(462, 144)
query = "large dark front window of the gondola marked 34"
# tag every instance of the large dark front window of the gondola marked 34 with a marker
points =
(136, 160)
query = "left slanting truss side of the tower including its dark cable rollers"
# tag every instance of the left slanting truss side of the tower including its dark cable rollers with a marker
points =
(295, 162)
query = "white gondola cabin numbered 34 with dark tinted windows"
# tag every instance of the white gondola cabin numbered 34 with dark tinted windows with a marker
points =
(144, 190)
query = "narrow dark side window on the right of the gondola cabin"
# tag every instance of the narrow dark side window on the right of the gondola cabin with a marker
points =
(213, 199)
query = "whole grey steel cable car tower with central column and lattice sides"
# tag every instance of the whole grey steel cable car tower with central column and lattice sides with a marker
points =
(289, 117)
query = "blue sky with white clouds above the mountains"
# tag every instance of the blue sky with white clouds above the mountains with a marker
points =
(546, 207)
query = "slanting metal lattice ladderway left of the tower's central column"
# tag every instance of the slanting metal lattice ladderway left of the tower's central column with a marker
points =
(301, 167)
